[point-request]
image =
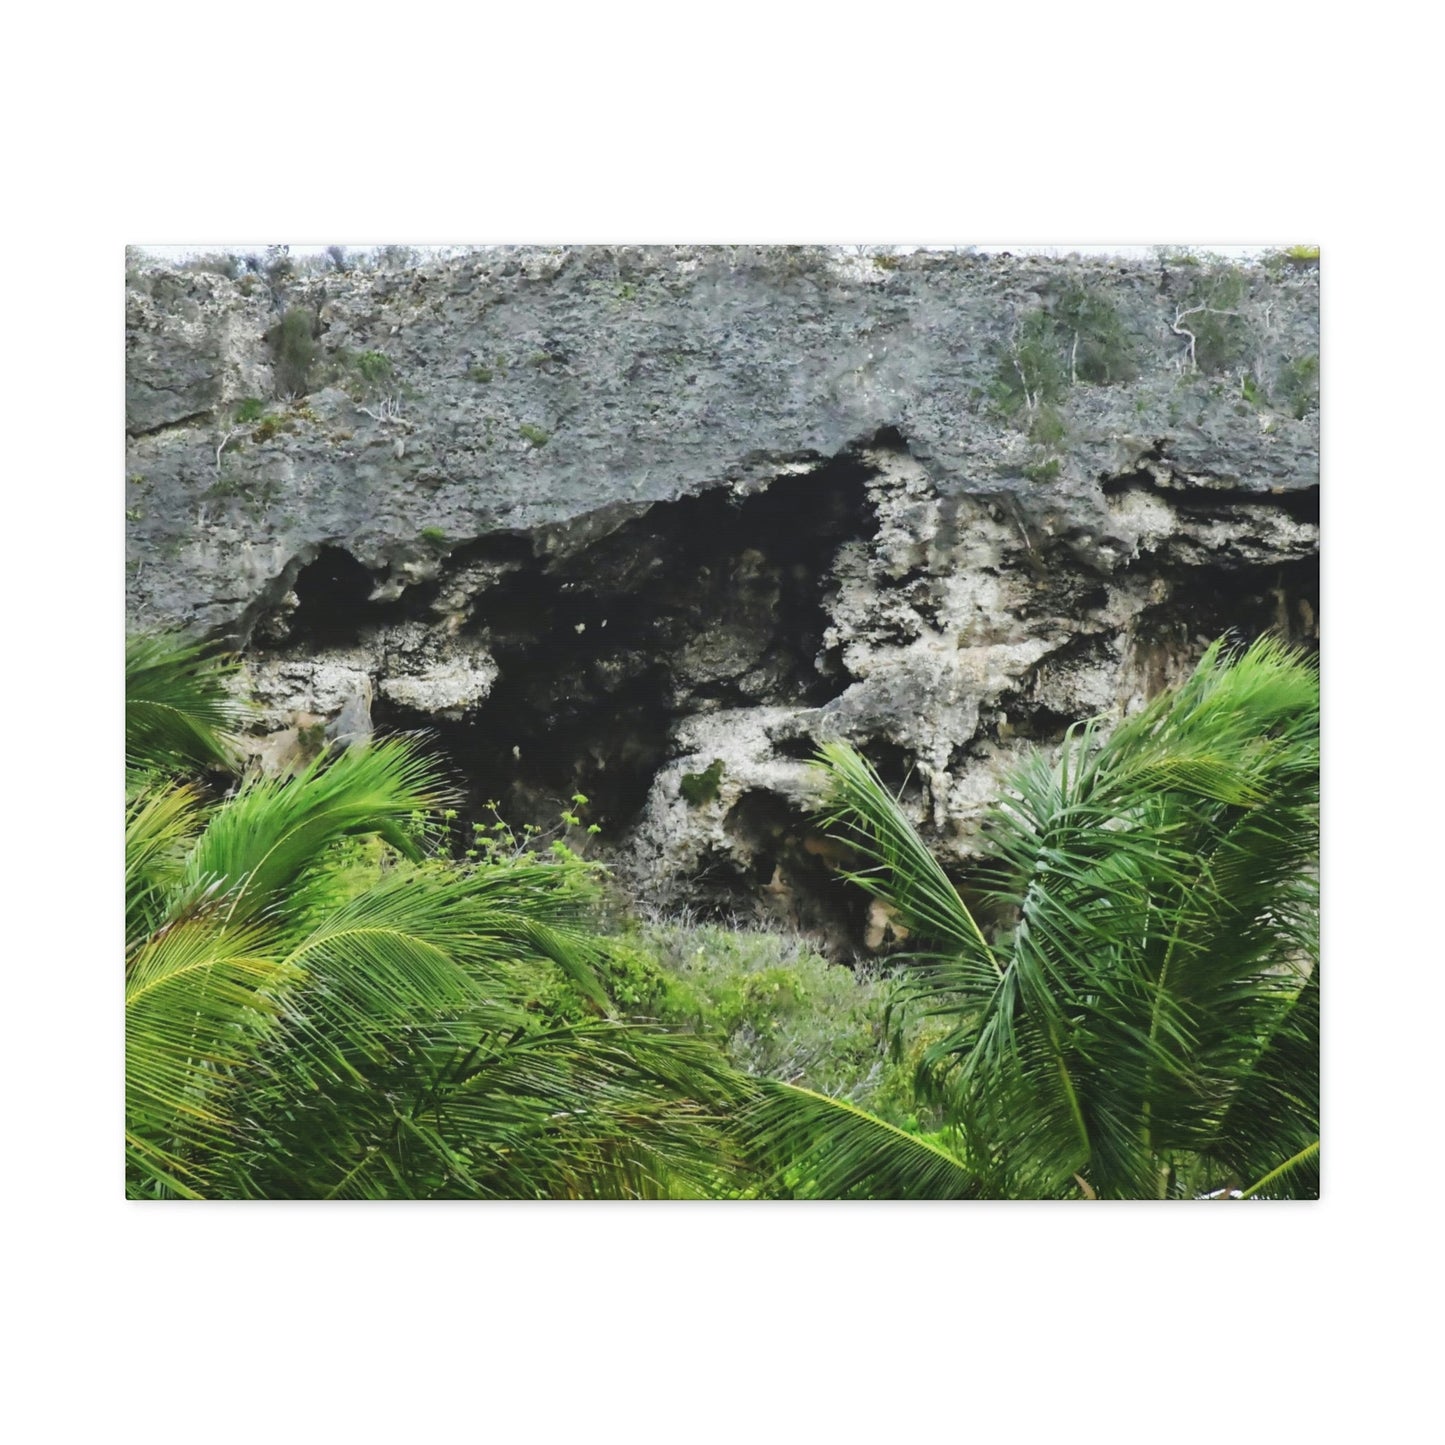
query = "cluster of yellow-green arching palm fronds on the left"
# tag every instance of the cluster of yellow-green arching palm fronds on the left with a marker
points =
(304, 1024)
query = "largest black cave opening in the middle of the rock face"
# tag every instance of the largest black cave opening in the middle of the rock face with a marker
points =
(704, 603)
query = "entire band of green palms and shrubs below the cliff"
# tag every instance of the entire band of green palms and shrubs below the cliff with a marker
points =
(329, 996)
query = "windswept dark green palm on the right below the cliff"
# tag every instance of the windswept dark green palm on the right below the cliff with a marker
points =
(1142, 1017)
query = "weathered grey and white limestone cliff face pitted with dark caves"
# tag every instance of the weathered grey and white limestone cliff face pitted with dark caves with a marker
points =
(605, 519)
